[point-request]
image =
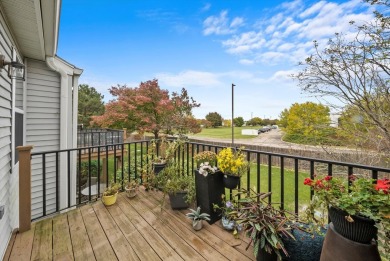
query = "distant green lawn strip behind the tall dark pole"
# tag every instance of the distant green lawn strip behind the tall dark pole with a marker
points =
(225, 133)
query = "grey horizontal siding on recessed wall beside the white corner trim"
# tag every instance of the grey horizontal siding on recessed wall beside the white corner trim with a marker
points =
(42, 129)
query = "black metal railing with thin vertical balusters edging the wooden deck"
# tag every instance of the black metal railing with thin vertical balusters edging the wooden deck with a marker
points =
(68, 178)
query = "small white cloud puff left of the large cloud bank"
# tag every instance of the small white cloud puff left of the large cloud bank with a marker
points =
(219, 25)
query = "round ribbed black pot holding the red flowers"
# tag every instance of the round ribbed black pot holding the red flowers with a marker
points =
(362, 230)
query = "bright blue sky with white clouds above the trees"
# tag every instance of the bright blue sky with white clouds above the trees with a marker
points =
(204, 46)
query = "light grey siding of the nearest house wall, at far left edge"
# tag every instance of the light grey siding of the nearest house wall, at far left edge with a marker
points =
(5, 143)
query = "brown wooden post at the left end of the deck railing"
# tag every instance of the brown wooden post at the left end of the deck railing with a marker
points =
(24, 187)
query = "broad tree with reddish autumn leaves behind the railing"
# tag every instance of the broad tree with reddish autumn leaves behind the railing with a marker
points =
(148, 108)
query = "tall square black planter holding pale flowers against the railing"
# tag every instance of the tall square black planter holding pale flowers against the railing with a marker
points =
(208, 192)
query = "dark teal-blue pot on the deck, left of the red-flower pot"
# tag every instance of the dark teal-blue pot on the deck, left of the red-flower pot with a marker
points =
(306, 247)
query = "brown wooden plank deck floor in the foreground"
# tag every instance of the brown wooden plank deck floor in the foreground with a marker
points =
(132, 229)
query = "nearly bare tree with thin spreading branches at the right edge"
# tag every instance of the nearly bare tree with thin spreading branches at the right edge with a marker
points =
(356, 71)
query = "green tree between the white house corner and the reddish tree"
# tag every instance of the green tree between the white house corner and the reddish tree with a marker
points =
(90, 104)
